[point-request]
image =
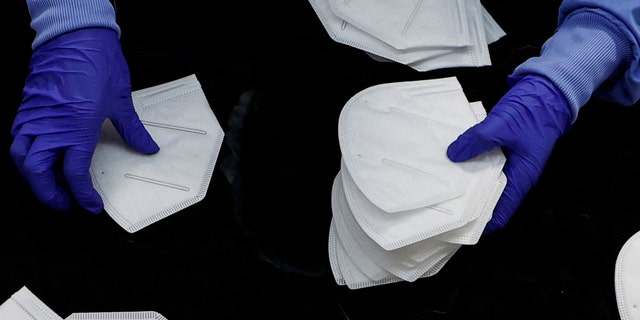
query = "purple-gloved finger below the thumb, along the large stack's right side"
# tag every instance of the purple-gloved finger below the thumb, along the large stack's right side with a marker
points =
(519, 182)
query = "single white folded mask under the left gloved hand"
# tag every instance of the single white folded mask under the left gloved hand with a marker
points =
(138, 189)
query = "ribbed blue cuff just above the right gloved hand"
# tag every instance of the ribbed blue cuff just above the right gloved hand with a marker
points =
(586, 51)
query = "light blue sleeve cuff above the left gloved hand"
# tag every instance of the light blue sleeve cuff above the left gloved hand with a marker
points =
(51, 18)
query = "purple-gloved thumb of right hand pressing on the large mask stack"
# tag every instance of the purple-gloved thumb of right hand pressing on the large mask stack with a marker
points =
(480, 138)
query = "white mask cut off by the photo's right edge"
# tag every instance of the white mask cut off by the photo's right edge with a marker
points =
(627, 279)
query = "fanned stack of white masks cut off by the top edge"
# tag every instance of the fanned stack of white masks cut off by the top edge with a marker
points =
(423, 34)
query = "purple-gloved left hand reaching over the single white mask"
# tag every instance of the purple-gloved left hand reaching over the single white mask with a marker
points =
(75, 82)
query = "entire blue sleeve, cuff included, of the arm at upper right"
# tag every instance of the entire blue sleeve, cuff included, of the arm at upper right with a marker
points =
(594, 51)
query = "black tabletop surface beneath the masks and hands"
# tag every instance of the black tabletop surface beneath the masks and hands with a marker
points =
(257, 247)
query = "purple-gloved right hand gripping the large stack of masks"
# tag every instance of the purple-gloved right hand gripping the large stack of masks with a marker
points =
(526, 123)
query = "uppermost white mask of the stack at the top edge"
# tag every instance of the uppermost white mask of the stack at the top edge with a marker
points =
(408, 24)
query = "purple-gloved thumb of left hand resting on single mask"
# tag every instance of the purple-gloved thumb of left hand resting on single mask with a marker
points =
(134, 133)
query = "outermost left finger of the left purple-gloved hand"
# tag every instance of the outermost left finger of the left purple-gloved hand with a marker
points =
(38, 170)
